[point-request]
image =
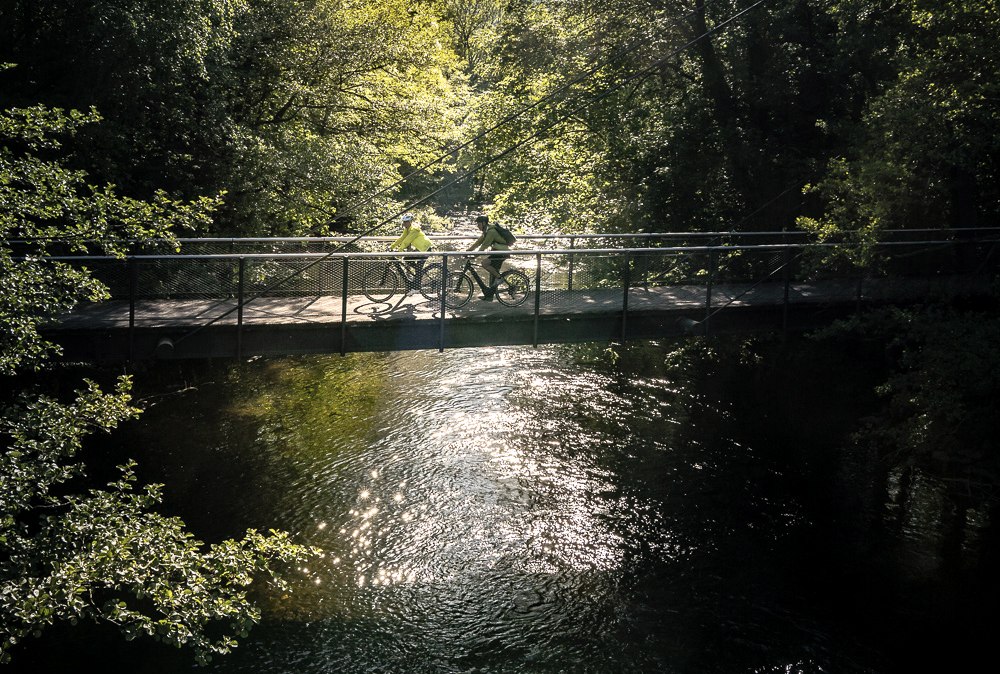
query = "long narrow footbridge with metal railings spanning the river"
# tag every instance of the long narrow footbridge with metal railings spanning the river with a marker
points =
(238, 298)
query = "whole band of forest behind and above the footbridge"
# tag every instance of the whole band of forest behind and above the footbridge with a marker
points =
(312, 116)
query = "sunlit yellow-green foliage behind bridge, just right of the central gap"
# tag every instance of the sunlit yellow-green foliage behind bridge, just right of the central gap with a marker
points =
(531, 58)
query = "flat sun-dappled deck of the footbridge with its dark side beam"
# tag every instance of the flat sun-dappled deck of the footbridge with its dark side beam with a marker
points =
(198, 328)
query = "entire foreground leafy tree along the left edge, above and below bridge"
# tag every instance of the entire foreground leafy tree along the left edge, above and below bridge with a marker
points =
(71, 549)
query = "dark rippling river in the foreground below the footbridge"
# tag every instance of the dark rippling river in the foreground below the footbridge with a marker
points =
(562, 509)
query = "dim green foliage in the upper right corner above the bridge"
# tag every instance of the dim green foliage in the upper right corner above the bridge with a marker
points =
(925, 151)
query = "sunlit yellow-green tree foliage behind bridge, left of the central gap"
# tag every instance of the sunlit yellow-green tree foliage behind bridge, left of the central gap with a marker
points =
(335, 99)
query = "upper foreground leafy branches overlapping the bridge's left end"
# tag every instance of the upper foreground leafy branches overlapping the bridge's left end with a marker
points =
(46, 204)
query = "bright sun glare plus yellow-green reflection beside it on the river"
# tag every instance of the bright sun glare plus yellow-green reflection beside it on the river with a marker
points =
(461, 476)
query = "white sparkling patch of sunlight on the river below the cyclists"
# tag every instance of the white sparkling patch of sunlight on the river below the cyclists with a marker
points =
(456, 497)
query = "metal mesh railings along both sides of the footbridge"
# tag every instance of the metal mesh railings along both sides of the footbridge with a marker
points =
(207, 289)
